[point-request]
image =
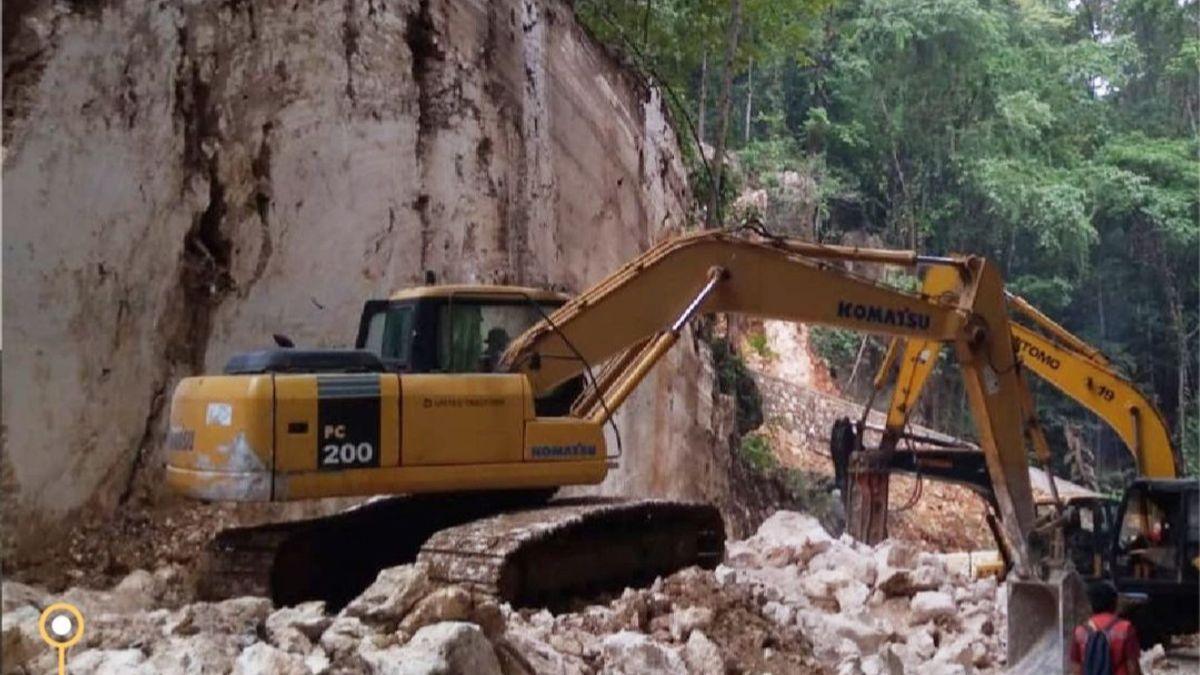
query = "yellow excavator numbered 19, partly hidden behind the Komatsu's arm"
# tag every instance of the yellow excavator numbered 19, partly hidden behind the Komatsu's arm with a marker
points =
(1103, 539)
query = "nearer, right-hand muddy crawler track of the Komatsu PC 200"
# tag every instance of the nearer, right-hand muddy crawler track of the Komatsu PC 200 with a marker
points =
(544, 557)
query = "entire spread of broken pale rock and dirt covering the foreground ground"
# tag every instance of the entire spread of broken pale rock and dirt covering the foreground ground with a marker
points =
(789, 600)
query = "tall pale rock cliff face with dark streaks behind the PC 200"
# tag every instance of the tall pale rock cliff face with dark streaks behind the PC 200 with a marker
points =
(182, 180)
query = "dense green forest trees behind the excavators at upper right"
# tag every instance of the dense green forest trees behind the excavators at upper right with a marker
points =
(1057, 138)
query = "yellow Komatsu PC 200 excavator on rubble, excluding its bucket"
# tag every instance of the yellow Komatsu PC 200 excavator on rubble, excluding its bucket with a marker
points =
(433, 404)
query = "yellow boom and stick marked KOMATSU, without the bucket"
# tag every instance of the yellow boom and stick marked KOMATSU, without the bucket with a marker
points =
(635, 315)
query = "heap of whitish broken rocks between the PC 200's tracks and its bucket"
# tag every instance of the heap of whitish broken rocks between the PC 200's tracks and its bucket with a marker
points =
(889, 610)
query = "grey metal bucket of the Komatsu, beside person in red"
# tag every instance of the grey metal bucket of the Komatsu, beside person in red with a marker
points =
(1042, 617)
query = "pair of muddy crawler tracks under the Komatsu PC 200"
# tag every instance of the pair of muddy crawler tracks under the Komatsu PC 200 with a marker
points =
(509, 545)
